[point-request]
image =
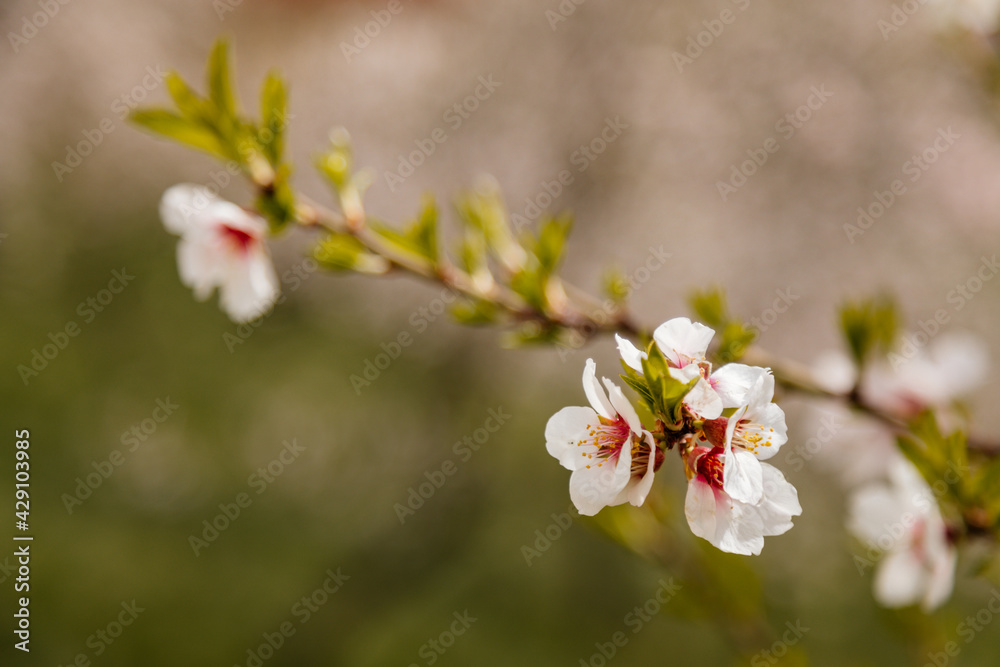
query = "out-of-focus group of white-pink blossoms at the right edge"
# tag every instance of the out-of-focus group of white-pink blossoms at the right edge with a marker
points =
(892, 510)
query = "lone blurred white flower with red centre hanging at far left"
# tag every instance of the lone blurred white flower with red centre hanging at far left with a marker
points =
(222, 245)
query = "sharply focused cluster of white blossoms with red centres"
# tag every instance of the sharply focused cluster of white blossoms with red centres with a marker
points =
(725, 426)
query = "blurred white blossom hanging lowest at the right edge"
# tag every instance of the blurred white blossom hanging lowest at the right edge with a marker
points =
(901, 520)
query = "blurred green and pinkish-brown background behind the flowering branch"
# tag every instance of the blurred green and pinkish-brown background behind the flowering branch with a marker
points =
(848, 105)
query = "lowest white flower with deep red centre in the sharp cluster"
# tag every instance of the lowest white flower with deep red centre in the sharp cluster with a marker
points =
(730, 524)
